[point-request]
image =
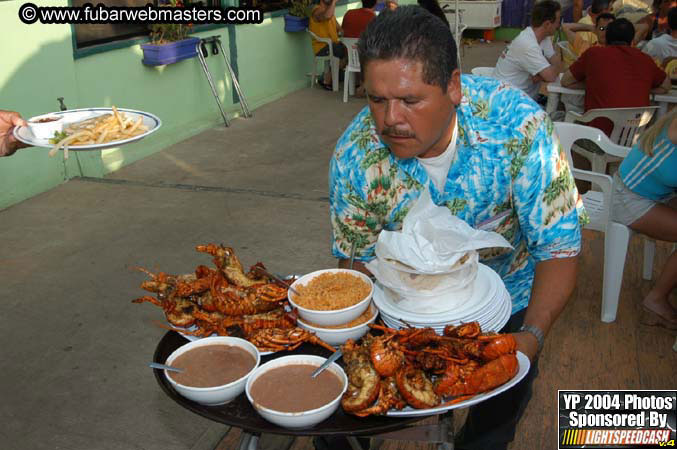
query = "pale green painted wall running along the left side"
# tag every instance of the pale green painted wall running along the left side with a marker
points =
(38, 66)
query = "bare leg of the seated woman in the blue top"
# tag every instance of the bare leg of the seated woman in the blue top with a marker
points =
(661, 223)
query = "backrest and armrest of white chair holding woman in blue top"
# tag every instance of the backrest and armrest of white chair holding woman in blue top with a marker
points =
(568, 133)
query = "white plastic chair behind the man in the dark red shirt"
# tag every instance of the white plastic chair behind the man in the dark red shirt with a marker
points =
(628, 125)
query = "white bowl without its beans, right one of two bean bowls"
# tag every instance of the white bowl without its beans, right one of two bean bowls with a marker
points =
(303, 419)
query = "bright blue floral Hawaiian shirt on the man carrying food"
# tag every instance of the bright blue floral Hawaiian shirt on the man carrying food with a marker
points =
(509, 172)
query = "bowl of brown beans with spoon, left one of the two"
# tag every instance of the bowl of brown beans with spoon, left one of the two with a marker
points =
(215, 369)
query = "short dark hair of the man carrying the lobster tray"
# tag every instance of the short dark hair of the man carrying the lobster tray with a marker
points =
(411, 32)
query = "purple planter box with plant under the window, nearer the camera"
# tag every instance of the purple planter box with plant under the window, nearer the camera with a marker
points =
(169, 42)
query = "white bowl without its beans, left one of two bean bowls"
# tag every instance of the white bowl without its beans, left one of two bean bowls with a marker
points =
(217, 395)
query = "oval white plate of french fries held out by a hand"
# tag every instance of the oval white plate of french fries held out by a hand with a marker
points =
(94, 129)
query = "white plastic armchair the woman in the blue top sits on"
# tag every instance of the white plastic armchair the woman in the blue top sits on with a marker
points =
(598, 206)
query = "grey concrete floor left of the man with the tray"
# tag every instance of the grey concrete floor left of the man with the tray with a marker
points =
(75, 348)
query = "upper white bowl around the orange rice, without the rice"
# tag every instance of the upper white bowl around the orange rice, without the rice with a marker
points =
(334, 317)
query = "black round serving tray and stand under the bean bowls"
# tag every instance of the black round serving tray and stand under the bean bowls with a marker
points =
(239, 413)
